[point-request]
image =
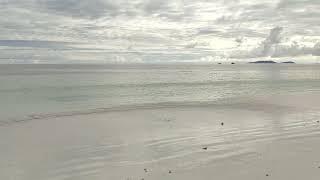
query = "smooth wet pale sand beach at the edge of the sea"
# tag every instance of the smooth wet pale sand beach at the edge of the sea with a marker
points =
(272, 137)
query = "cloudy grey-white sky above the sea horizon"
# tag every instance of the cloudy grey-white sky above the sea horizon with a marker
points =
(152, 31)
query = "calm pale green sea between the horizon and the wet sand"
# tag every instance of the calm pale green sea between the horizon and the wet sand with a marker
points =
(28, 91)
